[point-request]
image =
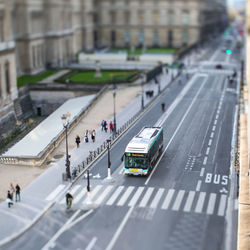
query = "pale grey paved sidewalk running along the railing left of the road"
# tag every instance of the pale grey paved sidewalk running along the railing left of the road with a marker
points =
(33, 205)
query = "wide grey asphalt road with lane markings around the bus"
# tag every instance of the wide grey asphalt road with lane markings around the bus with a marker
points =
(187, 202)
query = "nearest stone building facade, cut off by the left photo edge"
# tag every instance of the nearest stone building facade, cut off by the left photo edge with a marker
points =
(8, 88)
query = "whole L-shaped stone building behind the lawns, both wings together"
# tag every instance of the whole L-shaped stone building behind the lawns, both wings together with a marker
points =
(52, 32)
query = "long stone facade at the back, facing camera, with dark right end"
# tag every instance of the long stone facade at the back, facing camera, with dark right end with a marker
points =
(162, 23)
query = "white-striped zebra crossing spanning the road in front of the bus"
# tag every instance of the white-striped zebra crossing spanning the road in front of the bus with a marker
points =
(150, 197)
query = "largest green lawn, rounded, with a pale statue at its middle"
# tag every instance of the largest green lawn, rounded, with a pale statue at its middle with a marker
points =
(107, 76)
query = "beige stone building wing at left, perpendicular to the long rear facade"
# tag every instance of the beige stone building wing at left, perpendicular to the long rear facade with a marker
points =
(47, 33)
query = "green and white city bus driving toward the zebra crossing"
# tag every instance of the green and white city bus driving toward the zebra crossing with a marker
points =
(143, 150)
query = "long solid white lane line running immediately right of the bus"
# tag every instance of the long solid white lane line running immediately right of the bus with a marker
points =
(177, 129)
